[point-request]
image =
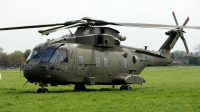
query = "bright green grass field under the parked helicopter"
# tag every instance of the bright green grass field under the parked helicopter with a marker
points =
(167, 89)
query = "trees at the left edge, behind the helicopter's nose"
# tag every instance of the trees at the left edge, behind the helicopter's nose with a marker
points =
(14, 59)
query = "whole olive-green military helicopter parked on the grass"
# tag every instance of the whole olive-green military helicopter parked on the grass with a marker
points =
(93, 55)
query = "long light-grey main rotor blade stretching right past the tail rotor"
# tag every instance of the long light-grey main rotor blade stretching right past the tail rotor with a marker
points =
(146, 25)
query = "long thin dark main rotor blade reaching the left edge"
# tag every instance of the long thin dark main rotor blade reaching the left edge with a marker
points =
(31, 26)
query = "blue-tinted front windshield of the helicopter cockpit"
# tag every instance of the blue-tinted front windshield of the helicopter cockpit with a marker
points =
(43, 55)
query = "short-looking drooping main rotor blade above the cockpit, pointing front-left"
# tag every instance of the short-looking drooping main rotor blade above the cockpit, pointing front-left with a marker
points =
(48, 31)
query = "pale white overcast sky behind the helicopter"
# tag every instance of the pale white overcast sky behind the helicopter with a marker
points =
(34, 12)
